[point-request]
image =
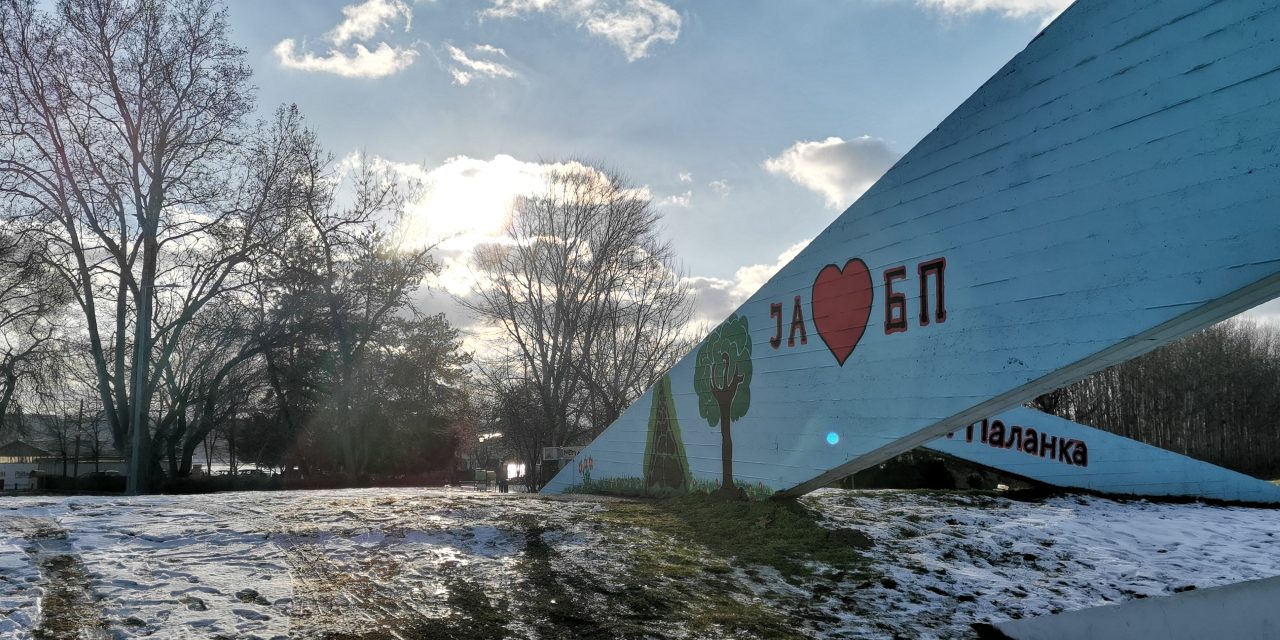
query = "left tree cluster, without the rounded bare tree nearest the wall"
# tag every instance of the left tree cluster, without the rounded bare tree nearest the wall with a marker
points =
(184, 271)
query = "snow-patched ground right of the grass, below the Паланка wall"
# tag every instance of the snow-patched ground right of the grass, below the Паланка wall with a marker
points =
(962, 559)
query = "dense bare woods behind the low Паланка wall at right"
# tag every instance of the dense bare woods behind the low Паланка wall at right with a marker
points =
(1213, 396)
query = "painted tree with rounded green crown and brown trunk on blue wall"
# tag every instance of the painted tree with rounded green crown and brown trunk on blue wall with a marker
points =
(723, 378)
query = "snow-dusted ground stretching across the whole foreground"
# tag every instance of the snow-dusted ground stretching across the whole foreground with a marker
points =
(458, 564)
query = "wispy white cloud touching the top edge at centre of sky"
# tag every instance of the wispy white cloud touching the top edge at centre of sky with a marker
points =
(633, 26)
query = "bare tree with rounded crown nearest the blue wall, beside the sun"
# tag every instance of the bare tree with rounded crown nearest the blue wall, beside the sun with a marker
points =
(587, 301)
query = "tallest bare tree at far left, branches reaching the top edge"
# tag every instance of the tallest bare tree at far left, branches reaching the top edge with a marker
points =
(125, 150)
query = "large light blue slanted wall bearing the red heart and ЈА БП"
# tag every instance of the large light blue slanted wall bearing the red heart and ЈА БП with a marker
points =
(1121, 175)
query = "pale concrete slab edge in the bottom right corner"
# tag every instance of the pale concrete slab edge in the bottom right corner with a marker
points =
(1245, 611)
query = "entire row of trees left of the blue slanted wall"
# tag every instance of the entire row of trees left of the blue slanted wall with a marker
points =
(179, 273)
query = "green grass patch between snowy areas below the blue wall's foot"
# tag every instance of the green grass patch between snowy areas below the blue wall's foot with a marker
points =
(682, 570)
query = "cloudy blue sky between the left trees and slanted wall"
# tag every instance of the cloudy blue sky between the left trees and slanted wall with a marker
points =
(751, 124)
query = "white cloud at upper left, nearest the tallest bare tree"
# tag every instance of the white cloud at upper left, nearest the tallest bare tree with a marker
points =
(362, 24)
